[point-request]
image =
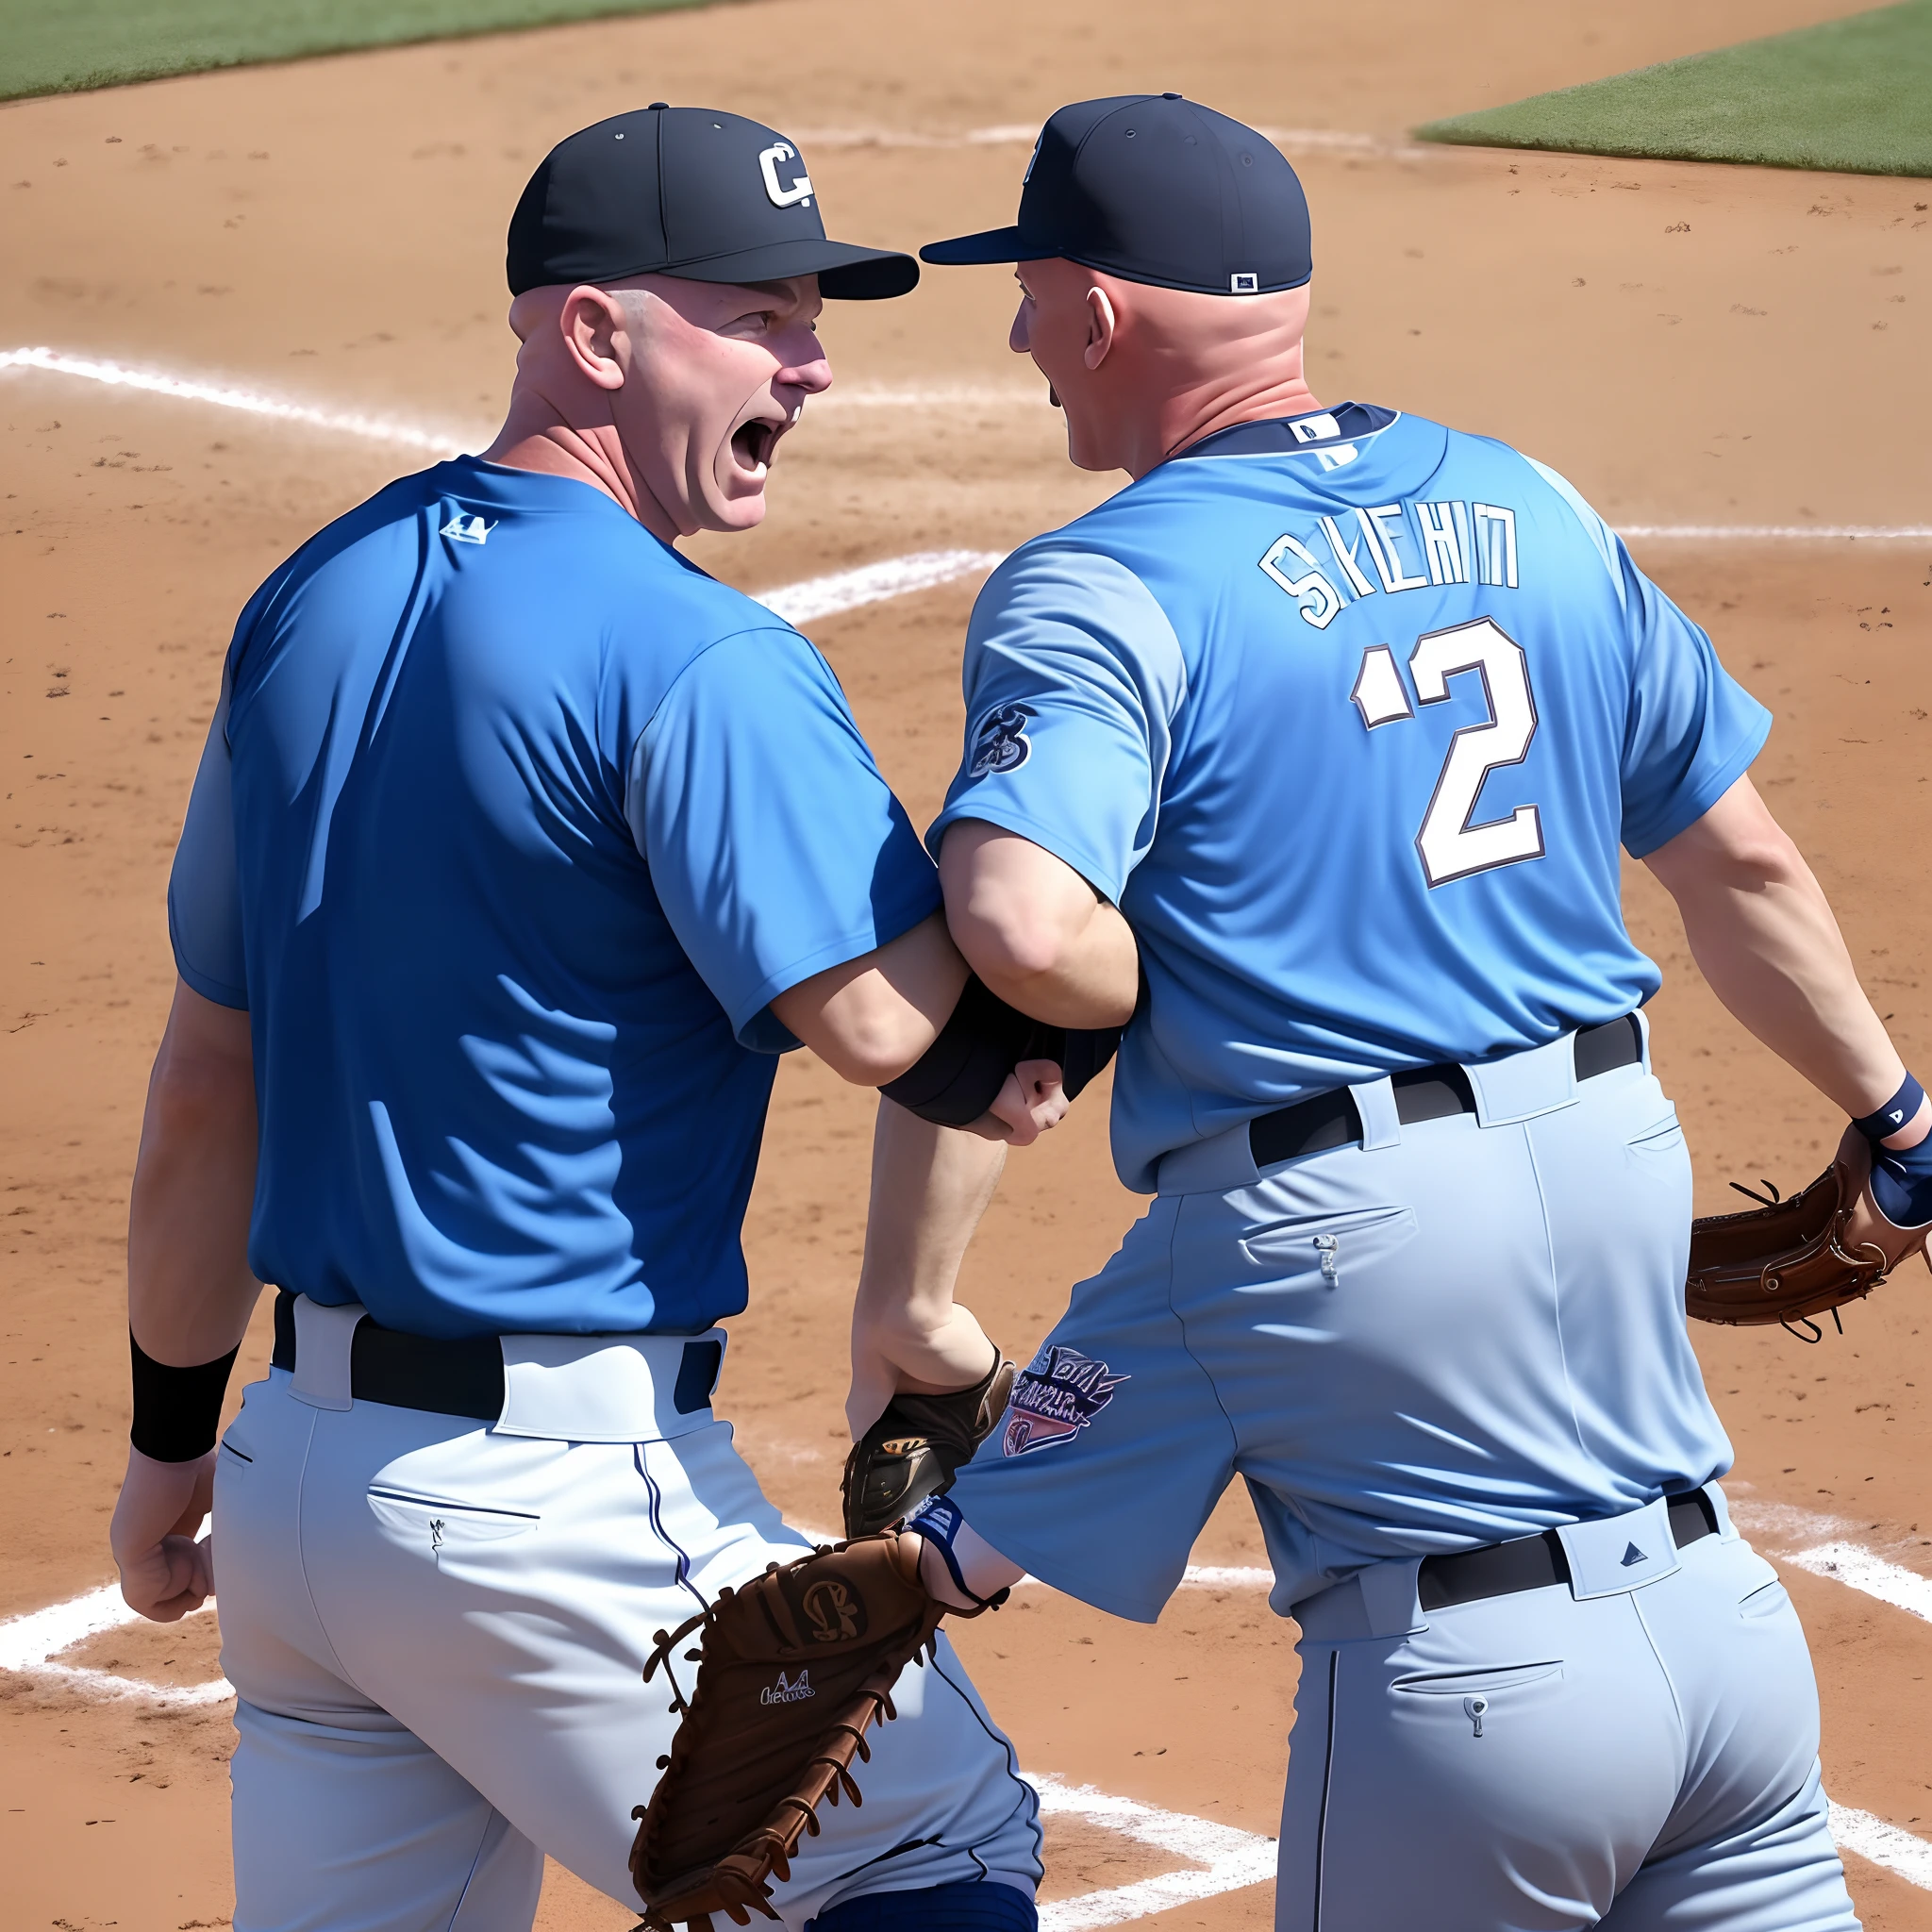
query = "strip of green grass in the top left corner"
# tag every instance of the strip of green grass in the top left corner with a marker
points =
(55, 47)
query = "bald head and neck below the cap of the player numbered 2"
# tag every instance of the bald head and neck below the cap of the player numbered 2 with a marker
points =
(1143, 372)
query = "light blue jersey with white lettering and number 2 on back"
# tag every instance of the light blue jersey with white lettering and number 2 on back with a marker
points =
(1350, 714)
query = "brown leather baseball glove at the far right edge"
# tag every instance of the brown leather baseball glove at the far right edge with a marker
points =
(1786, 1261)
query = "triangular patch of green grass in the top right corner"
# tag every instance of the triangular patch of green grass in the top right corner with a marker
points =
(1854, 98)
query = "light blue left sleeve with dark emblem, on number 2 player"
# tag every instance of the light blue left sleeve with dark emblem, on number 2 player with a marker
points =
(1073, 679)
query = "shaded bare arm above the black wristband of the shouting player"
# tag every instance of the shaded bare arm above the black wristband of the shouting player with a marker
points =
(190, 1290)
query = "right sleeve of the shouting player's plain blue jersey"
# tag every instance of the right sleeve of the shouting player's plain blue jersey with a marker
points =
(774, 843)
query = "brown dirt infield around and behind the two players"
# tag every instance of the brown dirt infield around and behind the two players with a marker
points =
(1693, 347)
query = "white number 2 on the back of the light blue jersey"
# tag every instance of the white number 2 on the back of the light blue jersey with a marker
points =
(1446, 843)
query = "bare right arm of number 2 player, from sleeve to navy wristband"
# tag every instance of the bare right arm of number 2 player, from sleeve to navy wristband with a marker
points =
(1765, 938)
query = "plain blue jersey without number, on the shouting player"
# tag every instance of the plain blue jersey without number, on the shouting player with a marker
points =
(509, 830)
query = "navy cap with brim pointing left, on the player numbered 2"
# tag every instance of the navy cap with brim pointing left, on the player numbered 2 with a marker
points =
(1156, 188)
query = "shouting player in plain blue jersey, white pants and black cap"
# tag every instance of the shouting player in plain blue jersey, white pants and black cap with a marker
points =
(519, 851)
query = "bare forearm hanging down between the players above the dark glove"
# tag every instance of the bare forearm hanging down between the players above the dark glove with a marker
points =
(930, 1187)
